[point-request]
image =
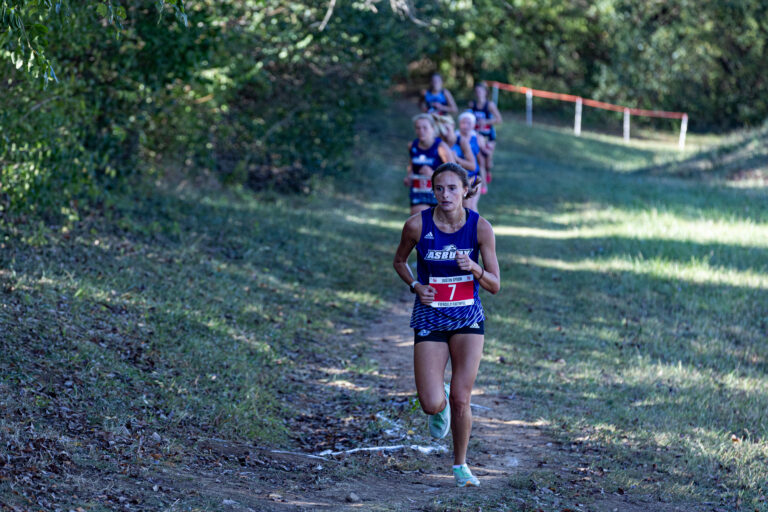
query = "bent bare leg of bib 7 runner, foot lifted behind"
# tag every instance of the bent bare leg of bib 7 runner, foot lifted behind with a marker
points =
(429, 361)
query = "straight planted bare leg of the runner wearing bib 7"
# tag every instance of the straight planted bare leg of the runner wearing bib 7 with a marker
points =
(466, 351)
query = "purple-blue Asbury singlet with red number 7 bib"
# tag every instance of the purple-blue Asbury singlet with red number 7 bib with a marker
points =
(457, 303)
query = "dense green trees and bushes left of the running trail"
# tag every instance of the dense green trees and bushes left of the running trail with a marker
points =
(261, 93)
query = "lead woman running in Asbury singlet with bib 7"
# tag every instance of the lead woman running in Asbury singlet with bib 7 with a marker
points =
(448, 319)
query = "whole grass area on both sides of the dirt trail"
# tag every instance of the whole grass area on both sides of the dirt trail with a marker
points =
(631, 321)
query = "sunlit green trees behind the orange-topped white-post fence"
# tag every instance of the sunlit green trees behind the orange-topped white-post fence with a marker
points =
(703, 58)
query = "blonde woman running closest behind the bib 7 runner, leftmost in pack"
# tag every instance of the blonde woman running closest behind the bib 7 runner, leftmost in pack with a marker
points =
(427, 152)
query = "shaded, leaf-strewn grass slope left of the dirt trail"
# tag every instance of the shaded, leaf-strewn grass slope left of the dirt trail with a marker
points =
(178, 311)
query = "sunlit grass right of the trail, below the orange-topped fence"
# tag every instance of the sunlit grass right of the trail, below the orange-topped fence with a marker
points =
(632, 312)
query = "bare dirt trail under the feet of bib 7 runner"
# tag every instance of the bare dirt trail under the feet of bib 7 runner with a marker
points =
(505, 450)
